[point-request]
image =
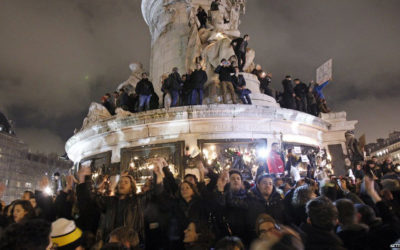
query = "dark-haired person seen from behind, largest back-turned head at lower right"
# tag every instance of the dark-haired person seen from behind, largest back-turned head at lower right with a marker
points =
(321, 221)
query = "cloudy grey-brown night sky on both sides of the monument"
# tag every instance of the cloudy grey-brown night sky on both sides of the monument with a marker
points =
(58, 56)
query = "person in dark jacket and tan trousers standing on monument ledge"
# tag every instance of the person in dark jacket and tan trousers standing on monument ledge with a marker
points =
(225, 70)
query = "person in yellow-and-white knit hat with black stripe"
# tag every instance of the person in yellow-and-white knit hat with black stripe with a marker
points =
(65, 235)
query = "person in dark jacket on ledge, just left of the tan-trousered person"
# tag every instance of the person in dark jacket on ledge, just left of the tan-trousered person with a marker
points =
(197, 79)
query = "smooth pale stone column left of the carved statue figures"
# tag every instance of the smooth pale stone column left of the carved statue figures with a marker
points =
(169, 29)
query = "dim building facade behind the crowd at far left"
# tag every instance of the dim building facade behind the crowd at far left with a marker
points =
(20, 169)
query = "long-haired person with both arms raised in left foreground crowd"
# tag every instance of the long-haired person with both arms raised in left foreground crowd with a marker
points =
(126, 207)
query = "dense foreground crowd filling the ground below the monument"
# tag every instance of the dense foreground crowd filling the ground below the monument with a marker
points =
(358, 211)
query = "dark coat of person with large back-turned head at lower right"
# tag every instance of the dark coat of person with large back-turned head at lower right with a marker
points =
(317, 239)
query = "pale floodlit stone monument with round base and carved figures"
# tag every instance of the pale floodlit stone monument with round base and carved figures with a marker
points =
(120, 141)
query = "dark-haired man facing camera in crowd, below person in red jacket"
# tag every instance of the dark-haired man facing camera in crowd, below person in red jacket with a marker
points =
(263, 198)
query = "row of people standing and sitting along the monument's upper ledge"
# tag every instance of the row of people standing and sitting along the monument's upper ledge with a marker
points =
(188, 89)
